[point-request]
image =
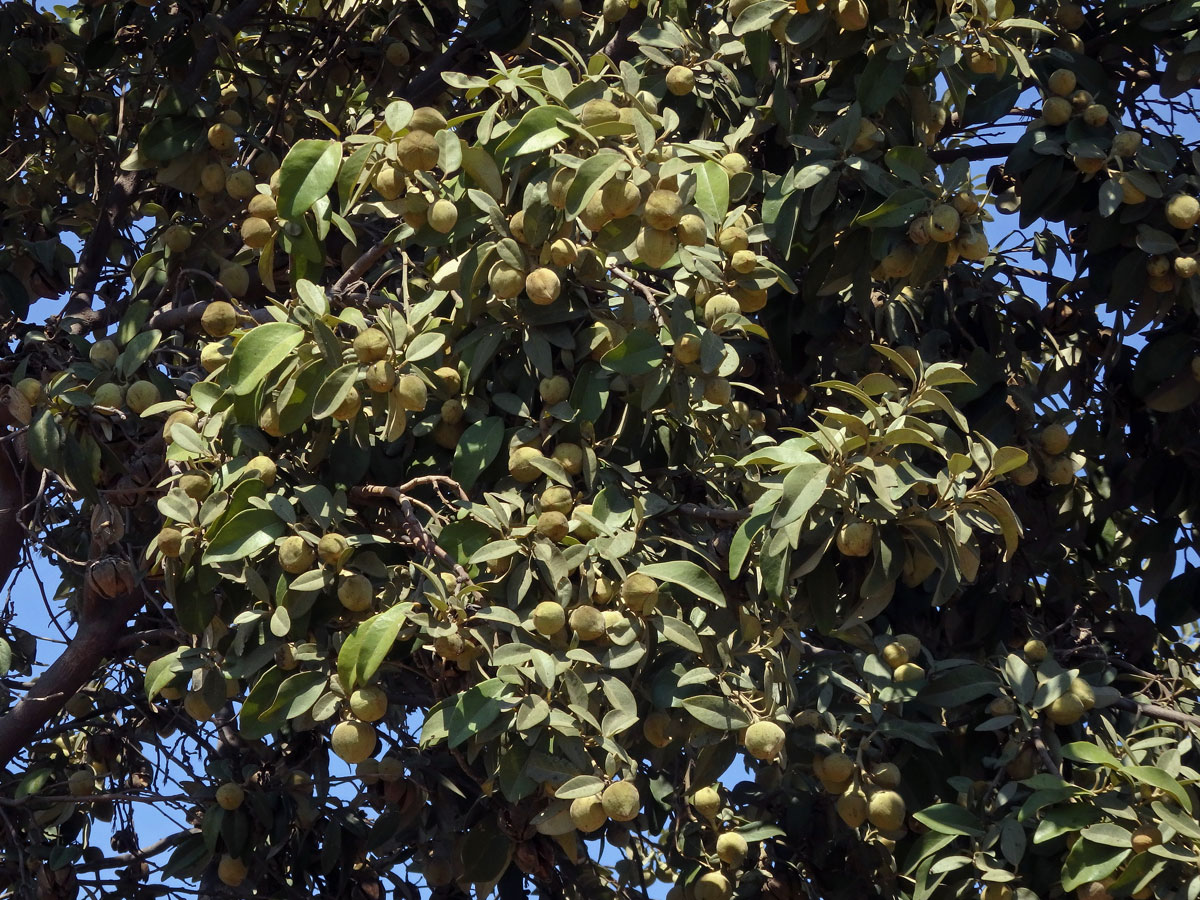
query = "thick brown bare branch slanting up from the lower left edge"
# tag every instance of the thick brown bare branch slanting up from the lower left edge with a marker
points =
(92, 645)
